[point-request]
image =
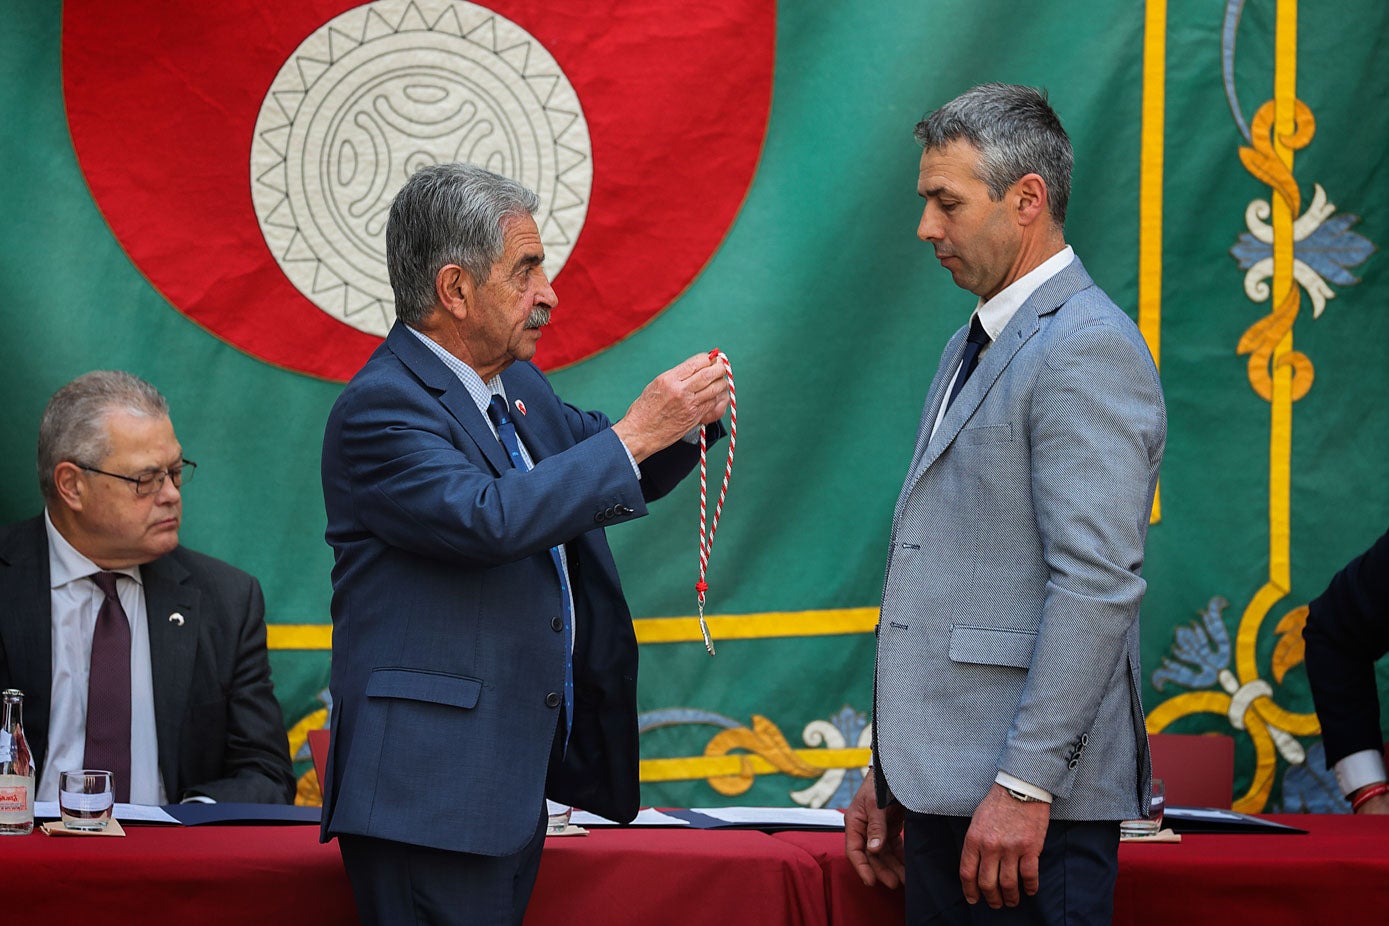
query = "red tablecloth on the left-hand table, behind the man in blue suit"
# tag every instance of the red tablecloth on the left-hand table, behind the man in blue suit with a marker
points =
(272, 875)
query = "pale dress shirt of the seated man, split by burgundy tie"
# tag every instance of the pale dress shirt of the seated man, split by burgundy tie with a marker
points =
(76, 602)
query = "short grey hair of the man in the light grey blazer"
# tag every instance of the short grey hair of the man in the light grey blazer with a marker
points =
(1016, 133)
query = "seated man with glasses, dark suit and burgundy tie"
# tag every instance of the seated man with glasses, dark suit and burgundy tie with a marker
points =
(135, 655)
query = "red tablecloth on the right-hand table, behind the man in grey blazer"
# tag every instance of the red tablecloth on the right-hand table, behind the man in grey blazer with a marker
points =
(1337, 874)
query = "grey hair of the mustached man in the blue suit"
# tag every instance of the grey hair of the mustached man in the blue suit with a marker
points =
(448, 214)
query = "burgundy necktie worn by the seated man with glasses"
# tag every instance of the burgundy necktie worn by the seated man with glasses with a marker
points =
(109, 691)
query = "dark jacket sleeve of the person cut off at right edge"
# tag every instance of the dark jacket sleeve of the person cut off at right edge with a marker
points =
(1348, 630)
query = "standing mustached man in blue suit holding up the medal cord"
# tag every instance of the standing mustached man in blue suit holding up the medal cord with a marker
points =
(484, 656)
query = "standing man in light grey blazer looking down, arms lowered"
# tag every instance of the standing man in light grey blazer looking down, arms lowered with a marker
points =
(1009, 735)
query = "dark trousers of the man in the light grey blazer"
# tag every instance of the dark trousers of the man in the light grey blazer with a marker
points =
(1079, 868)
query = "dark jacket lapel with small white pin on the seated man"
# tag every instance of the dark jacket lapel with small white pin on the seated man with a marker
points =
(173, 656)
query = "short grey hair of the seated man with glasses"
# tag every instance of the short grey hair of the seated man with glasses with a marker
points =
(74, 423)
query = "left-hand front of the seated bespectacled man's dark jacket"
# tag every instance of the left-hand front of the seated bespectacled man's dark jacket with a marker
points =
(27, 628)
